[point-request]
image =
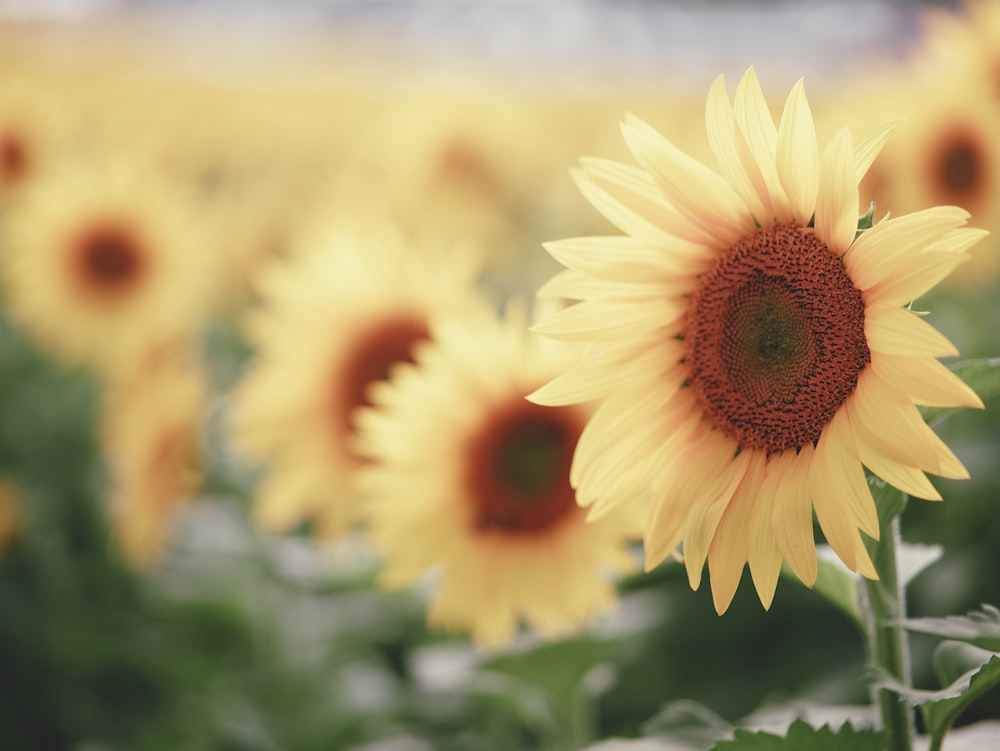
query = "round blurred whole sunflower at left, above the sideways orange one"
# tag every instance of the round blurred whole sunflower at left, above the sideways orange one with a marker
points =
(101, 258)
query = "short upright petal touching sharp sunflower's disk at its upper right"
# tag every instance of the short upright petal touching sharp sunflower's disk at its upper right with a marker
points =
(837, 195)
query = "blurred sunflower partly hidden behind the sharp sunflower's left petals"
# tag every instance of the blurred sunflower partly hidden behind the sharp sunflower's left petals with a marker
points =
(472, 480)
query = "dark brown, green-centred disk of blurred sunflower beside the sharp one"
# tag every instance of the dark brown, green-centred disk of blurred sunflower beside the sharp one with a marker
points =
(518, 467)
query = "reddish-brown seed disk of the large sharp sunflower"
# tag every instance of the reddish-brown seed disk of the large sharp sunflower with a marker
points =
(775, 339)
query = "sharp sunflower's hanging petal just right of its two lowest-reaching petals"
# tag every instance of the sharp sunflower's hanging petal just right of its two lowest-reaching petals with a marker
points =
(792, 519)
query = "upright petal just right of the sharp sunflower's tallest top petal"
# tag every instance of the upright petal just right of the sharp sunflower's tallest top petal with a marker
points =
(798, 155)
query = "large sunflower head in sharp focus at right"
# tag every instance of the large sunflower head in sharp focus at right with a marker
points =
(750, 347)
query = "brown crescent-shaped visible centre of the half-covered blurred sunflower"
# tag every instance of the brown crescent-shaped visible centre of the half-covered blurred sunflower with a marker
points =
(374, 353)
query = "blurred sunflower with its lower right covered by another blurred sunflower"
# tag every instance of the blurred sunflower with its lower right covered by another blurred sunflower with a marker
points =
(333, 318)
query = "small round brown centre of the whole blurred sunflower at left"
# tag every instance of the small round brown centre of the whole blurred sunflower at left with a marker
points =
(108, 259)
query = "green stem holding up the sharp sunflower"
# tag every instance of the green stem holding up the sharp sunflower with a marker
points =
(884, 608)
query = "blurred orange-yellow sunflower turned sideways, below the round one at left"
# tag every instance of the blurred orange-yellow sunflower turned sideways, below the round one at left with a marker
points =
(151, 423)
